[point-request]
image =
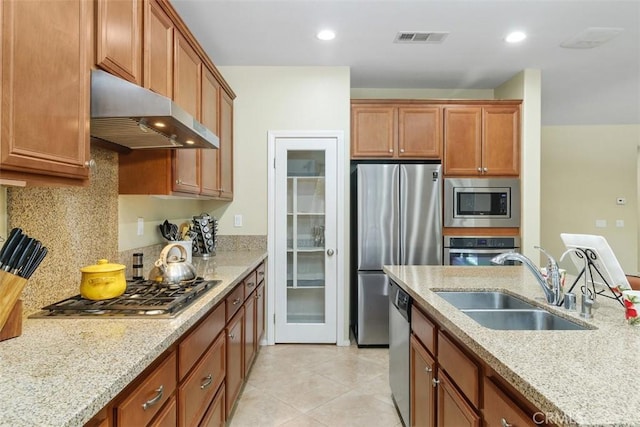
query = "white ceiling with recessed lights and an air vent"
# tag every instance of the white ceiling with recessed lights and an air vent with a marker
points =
(579, 86)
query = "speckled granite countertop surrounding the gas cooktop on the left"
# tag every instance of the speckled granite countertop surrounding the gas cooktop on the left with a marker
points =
(61, 372)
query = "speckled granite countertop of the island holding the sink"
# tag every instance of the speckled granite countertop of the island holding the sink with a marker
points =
(586, 378)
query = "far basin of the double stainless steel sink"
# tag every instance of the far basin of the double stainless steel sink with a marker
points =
(484, 300)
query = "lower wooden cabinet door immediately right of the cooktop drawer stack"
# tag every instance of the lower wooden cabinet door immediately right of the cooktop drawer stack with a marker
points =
(235, 365)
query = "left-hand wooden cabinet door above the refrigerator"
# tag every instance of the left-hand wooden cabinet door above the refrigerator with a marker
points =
(373, 131)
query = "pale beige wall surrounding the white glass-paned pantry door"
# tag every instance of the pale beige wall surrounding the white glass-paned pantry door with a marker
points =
(277, 99)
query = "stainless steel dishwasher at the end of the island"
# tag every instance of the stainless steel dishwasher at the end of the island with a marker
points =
(399, 330)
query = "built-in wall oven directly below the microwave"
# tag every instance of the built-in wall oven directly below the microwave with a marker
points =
(477, 250)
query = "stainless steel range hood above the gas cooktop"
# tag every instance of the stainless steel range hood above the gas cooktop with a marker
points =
(129, 115)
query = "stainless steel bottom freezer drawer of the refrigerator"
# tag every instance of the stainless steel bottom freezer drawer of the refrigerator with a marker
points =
(372, 327)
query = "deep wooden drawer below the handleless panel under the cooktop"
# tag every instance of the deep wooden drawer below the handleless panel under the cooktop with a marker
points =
(198, 390)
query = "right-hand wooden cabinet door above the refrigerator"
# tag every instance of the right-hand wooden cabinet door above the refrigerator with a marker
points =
(419, 132)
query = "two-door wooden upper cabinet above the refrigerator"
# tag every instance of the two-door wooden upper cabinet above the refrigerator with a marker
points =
(411, 131)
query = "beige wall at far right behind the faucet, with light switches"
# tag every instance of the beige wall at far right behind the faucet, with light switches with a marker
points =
(584, 169)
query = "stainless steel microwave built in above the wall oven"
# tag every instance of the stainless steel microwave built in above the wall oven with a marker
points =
(482, 202)
